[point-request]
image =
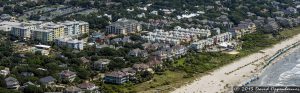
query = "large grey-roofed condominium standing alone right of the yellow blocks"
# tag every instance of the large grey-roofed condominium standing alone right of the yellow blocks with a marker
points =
(124, 26)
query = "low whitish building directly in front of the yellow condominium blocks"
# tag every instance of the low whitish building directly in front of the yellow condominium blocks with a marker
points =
(69, 42)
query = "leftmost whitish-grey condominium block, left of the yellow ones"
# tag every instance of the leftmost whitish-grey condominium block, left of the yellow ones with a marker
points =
(23, 31)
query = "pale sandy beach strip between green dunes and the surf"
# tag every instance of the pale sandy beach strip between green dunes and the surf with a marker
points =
(224, 78)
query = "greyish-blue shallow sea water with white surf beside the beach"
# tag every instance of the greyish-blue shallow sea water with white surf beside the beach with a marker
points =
(285, 72)
